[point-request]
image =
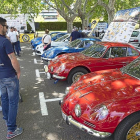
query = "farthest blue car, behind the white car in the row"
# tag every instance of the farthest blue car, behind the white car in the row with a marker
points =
(54, 36)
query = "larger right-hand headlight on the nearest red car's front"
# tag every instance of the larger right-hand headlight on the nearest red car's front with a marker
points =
(100, 112)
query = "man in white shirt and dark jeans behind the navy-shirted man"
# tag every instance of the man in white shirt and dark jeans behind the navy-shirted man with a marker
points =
(12, 35)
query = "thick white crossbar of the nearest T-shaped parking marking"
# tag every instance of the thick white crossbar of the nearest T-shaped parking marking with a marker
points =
(43, 105)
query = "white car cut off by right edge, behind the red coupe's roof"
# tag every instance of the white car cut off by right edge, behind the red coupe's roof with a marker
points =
(135, 38)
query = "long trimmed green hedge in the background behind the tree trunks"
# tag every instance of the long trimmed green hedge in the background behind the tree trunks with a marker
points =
(54, 26)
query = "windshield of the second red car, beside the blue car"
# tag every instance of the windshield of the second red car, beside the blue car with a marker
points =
(95, 51)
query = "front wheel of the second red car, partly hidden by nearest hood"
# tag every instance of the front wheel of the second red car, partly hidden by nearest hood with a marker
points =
(75, 74)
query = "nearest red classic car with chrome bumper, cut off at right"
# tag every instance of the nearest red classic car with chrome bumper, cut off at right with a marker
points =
(106, 102)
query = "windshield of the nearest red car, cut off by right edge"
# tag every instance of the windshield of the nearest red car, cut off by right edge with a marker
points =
(132, 69)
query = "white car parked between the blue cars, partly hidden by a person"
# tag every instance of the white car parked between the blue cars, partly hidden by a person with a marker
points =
(64, 40)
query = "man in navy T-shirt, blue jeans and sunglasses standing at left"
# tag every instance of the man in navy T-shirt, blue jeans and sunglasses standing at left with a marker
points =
(9, 82)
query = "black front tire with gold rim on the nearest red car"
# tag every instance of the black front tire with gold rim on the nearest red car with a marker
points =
(128, 127)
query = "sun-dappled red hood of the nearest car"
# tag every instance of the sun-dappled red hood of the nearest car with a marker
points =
(102, 86)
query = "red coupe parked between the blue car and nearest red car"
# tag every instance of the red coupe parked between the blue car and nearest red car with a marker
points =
(100, 56)
